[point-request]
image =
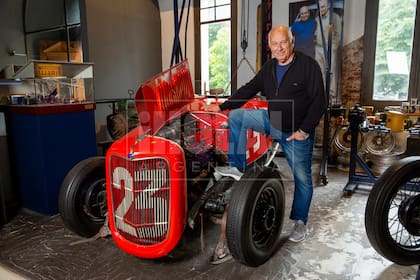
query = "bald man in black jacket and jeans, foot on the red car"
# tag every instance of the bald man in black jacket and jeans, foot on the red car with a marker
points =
(293, 86)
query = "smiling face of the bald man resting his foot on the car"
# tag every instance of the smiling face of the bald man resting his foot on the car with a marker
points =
(280, 45)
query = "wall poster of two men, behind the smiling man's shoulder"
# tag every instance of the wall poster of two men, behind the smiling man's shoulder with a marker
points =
(309, 22)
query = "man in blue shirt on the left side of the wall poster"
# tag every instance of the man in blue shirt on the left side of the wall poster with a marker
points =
(303, 30)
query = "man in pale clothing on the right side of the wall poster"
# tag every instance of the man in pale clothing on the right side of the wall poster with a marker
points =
(321, 35)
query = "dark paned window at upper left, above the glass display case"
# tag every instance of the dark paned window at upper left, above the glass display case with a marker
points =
(52, 30)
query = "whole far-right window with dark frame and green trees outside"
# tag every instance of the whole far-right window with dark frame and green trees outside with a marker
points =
(391, 72)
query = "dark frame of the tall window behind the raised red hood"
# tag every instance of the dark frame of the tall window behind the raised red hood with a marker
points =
(197, 44)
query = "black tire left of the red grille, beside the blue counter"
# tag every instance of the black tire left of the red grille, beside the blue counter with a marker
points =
(82, 199)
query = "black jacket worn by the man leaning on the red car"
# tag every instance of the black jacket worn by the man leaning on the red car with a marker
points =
(297, 102)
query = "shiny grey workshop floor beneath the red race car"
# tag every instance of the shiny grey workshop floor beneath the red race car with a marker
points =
(39, 247)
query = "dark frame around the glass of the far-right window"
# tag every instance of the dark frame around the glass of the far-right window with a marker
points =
(368, 69)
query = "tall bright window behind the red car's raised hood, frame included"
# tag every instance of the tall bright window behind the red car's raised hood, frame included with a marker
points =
(215, 46)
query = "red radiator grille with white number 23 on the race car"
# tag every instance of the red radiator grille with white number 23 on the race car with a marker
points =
(140, 198)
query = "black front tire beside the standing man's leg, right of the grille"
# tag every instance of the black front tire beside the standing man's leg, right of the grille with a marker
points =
(255, 216)
